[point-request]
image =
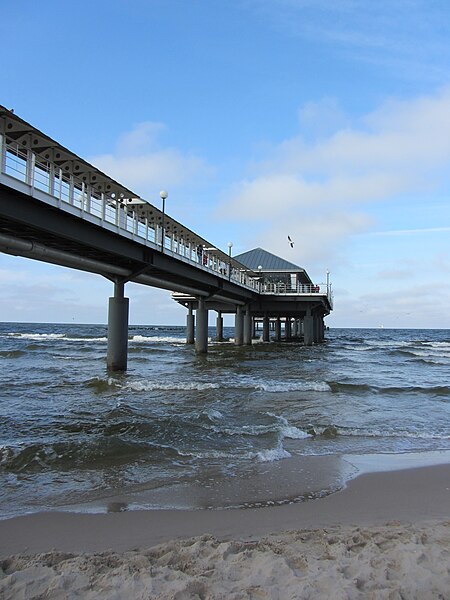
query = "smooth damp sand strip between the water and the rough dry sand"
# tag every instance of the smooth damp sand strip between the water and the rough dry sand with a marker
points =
(414, 495)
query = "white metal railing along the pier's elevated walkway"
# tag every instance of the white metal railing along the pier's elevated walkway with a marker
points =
(72, 193)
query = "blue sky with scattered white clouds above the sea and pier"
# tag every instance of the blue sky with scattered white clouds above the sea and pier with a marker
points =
(325, 120)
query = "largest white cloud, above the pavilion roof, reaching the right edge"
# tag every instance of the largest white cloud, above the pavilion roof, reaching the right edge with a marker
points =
(319, 192)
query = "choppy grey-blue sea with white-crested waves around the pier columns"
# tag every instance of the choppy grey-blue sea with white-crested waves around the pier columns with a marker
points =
(267, 424)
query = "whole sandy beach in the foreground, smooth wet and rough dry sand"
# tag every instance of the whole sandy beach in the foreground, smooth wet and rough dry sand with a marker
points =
(386, 535)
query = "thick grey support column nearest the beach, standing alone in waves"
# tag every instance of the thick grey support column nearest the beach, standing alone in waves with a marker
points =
(118, 309)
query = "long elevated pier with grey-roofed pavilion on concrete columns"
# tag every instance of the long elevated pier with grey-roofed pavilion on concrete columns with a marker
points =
(57, 208)
